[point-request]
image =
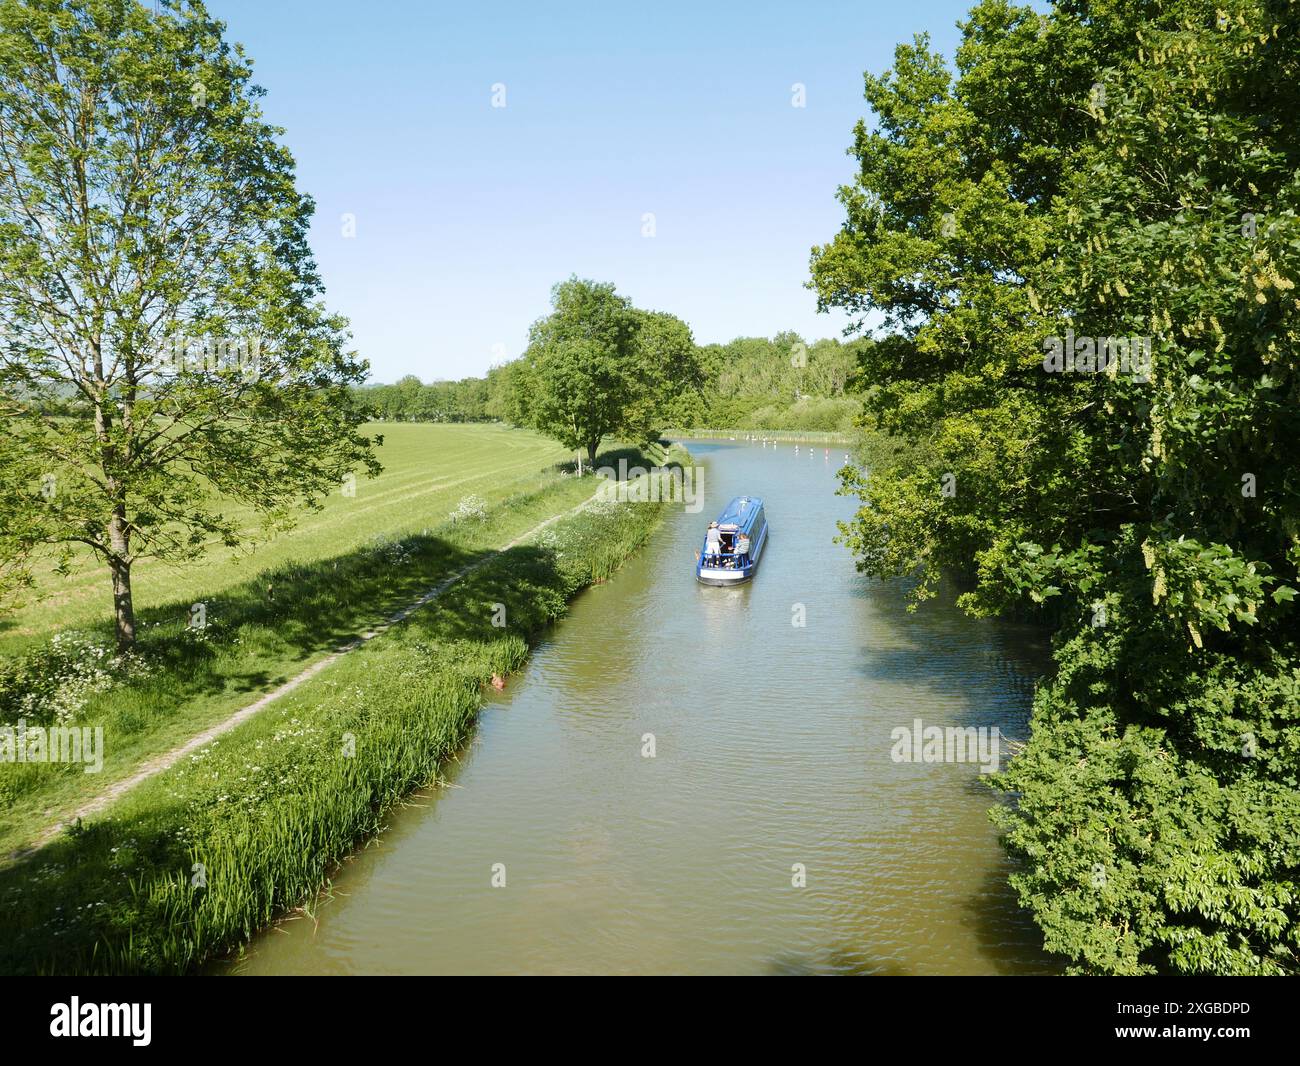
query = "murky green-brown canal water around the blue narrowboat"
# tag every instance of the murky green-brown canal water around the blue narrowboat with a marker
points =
(773, 831)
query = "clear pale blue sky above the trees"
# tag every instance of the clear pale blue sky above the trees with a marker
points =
(467, 214)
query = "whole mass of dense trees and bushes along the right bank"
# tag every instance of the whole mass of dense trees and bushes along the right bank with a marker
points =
(1085, 248)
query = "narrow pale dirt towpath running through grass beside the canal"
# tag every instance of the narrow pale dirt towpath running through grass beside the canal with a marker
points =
(159, 764)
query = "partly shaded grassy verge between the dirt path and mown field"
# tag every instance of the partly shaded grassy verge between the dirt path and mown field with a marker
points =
(257, 636)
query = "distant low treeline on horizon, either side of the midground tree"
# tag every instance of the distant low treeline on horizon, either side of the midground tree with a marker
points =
(752, 383)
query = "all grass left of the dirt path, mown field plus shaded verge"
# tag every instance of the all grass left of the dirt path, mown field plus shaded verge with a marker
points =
(270, 614)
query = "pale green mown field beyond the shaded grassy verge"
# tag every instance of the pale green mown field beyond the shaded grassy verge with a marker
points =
(427, 471)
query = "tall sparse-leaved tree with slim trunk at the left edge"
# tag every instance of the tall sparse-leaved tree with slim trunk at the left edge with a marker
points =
(159, 293)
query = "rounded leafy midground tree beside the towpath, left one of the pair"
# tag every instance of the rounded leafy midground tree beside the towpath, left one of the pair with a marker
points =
(583, 371)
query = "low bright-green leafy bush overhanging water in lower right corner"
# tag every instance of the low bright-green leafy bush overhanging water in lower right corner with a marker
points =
(1162, 831)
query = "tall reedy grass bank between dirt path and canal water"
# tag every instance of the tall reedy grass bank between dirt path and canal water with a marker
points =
(198, 859)
